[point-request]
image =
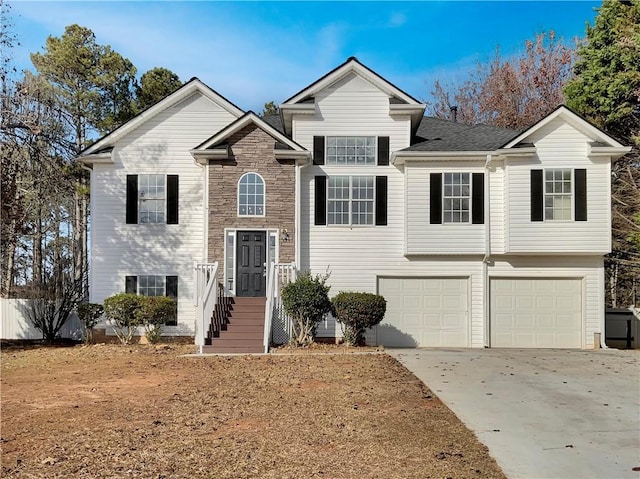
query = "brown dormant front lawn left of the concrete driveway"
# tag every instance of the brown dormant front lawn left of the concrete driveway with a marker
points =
(115, 411)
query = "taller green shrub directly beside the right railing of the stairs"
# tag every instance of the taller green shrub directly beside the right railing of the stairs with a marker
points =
(306, 300)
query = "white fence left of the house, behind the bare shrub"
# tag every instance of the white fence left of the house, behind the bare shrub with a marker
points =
(14, 323)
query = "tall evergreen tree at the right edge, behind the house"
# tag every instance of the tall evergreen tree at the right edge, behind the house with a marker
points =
(606, 90)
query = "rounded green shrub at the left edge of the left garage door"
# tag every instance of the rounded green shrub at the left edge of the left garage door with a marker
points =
(356, 312)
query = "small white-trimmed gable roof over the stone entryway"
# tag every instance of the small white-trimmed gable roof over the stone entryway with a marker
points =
(217, 145)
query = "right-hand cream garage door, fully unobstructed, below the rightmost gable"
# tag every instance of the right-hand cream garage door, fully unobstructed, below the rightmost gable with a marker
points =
(536, 313)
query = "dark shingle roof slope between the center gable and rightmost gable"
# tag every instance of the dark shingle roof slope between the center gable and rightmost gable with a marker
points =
(435, 134)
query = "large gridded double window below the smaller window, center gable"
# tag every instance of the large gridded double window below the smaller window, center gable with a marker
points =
(350, 200)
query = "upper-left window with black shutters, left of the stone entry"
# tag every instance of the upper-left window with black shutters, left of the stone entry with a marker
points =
(152, 199)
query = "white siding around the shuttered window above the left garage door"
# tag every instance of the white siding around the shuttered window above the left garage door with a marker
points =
(437, 239)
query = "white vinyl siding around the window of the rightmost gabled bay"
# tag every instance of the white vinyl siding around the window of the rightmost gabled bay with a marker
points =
(559, 146)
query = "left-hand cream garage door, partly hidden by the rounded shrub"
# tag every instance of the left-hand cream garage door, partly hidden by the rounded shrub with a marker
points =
(424, 312)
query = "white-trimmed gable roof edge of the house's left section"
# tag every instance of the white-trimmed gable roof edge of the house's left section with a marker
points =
(192, 86)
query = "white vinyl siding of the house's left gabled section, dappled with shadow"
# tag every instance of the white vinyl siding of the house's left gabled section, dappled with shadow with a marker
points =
(159, 146)
